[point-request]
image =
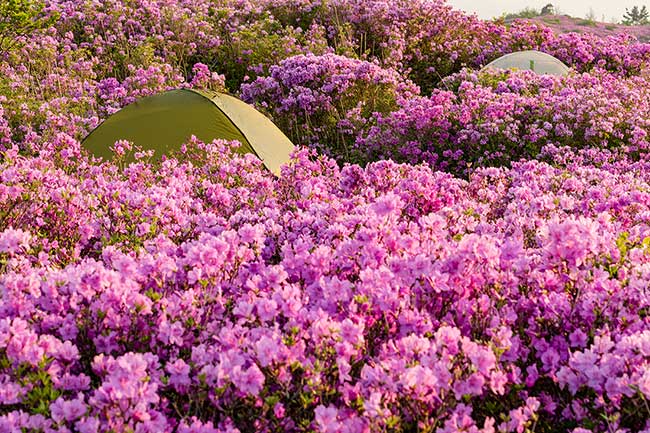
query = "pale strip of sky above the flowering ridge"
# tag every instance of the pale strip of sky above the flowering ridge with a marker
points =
(611, 10)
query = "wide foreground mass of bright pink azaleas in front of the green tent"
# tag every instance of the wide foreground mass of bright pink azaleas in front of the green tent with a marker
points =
(205, 295)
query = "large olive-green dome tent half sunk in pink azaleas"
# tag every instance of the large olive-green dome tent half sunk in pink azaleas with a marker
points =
(165, 121)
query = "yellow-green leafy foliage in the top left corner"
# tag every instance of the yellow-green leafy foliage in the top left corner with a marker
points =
(20, 18)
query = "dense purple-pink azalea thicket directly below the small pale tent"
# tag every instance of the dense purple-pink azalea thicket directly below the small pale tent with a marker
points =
(496, 117)
